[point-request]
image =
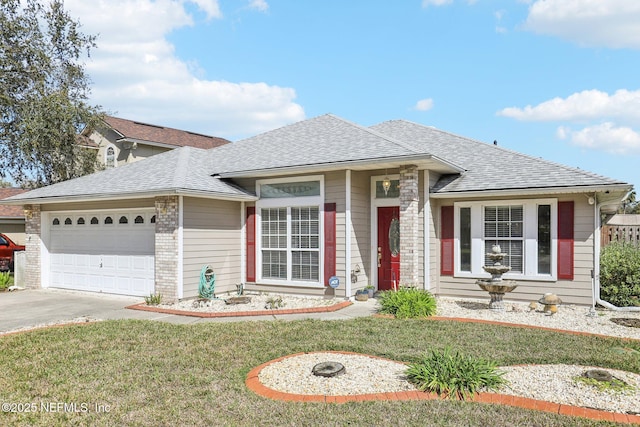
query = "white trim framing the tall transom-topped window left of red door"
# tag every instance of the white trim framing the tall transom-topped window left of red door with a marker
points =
(290, 202)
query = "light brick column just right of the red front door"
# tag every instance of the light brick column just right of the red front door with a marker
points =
(409, 199)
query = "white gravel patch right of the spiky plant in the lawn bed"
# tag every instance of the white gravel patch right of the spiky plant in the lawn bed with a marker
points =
(556, 383)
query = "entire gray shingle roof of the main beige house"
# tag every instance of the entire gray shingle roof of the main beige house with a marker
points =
(324, 141)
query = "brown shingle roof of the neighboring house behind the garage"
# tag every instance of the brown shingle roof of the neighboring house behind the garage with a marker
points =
(130, 129)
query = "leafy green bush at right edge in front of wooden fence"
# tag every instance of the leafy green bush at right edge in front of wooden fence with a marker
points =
(620, 274)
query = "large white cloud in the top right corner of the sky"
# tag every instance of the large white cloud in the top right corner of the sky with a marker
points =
(609, 23)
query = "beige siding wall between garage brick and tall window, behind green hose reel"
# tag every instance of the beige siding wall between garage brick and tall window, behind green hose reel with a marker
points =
(211, 236)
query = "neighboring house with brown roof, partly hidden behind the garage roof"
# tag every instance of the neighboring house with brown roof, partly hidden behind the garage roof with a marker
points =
(121, 141)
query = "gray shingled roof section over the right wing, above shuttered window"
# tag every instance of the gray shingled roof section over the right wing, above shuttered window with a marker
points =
(488, 167)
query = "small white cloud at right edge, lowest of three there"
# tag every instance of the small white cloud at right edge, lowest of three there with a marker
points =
(619, 140)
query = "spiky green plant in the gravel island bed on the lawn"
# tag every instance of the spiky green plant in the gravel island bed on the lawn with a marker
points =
(451, 374)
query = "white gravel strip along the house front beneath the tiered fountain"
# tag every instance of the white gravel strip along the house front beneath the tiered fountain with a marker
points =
(568, 317)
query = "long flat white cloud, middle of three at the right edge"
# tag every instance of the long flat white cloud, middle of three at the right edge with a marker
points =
(585, 105)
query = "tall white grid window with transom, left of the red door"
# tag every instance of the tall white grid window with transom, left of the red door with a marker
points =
(290, 230)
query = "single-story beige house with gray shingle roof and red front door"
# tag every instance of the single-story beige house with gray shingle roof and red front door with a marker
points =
(395, 204)
